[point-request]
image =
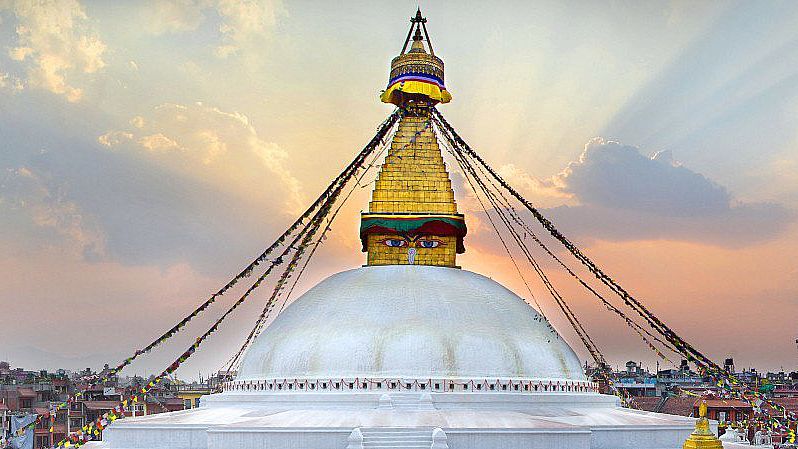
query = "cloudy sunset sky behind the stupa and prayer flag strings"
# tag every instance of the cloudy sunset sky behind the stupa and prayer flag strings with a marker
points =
(150, 150)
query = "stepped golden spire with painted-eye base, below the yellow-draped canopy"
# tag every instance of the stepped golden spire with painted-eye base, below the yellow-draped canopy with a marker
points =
(412, 216)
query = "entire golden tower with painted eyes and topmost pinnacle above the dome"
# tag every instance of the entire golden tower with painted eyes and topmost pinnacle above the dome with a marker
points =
(412, 218)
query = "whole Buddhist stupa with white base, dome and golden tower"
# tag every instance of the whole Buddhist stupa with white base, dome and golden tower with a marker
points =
(410, 350)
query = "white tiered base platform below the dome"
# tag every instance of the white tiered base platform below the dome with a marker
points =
(474, 420)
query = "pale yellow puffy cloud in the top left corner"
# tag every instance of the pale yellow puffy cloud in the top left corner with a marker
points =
(55, 45)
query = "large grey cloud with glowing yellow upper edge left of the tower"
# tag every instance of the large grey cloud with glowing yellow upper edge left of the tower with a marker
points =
(213, 202)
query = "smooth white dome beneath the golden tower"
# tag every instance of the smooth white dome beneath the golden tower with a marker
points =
(409, 321)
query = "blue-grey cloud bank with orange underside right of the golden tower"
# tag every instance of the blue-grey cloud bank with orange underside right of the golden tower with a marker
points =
(614, 192)
